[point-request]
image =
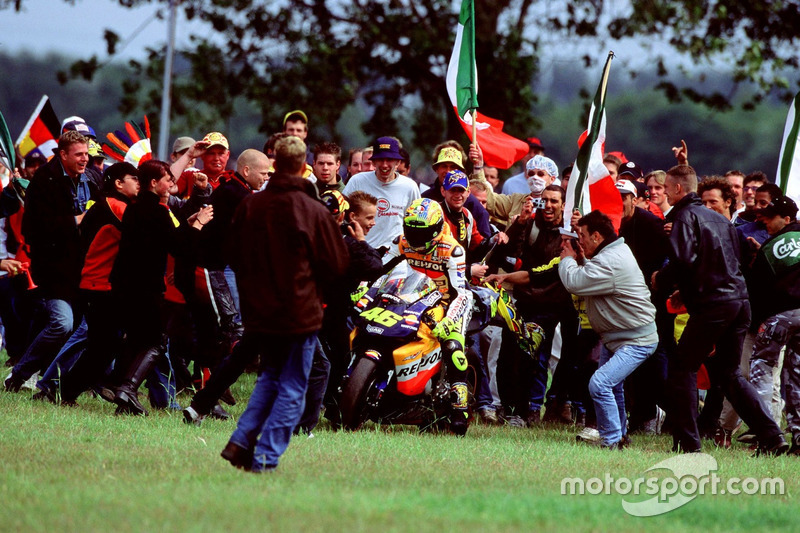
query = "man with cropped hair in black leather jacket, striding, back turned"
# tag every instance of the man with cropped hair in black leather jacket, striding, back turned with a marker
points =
(704, 266)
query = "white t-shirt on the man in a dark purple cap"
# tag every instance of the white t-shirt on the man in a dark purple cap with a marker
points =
(393, 200)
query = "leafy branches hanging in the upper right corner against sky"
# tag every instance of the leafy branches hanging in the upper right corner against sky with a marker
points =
(756, 39)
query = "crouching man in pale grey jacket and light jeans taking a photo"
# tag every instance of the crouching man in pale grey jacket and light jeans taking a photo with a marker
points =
(600, 267)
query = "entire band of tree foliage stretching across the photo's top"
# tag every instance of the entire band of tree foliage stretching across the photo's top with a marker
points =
(324, 56)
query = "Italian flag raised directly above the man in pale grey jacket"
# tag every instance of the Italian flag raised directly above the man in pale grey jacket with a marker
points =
(591, 186)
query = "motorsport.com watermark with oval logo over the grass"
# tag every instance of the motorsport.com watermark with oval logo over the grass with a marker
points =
(692, 475)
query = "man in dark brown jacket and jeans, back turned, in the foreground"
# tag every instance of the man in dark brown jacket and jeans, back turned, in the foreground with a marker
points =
(285, 248)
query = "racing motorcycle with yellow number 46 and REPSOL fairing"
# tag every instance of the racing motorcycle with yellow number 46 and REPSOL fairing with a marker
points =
(396, 374)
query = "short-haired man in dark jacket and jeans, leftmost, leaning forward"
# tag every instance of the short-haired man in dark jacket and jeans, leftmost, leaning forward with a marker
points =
(55, 203)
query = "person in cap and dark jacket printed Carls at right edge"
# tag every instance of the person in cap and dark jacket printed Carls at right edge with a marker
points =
(776, 307)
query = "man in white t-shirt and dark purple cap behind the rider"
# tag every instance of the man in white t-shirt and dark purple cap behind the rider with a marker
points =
(393, 191)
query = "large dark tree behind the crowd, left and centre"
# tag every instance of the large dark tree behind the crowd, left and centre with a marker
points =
(324, 56)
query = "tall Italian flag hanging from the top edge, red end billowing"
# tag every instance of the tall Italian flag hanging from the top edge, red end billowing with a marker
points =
(499, 149)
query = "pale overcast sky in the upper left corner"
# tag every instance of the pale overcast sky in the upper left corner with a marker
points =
(77, 30)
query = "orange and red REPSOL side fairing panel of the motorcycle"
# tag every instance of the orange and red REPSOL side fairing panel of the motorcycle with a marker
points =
(417, 362)
